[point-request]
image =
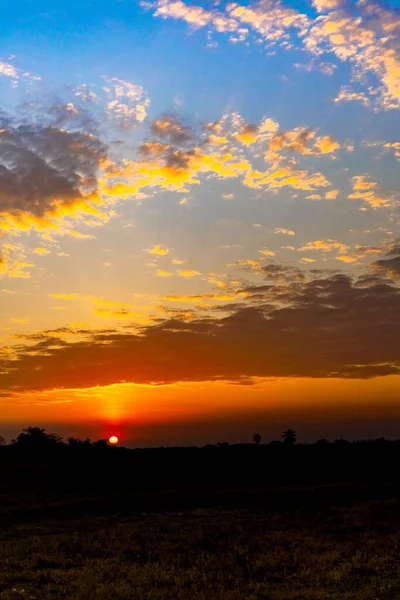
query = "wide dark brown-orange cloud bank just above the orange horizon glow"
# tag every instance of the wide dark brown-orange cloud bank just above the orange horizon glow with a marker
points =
(291, 326)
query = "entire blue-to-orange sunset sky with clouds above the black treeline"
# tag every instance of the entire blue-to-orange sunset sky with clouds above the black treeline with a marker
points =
(199, 219)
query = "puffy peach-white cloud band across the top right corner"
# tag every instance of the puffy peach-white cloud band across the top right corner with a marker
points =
(363, 34)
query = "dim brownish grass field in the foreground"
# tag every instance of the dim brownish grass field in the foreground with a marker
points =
(206, 554)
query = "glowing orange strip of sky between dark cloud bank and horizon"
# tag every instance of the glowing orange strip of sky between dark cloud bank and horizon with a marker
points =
(129, 410)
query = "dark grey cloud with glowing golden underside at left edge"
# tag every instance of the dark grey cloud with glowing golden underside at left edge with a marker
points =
(46, 173)
